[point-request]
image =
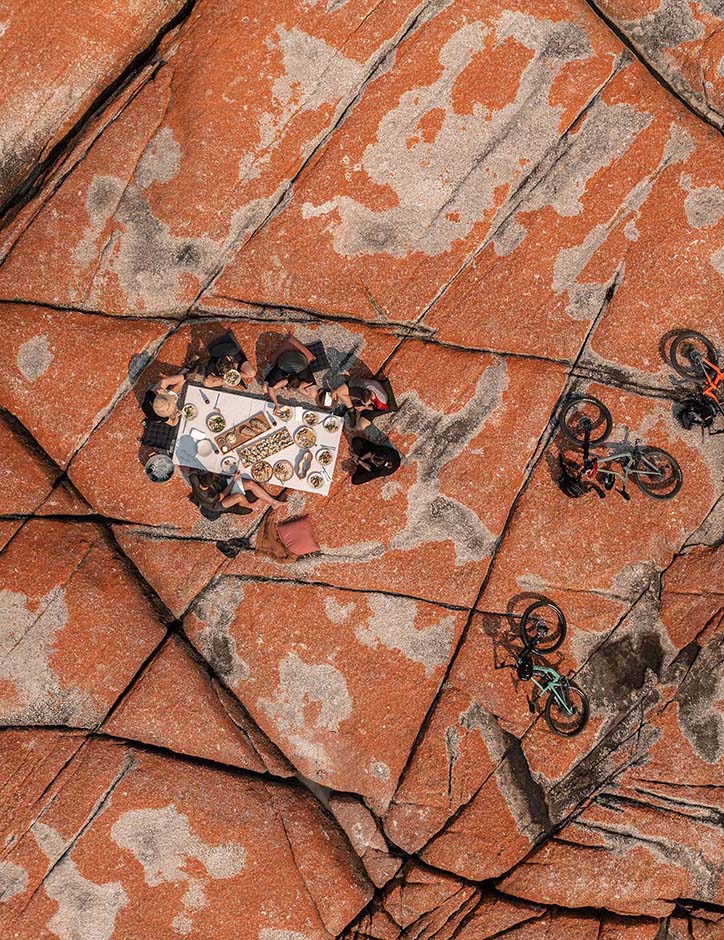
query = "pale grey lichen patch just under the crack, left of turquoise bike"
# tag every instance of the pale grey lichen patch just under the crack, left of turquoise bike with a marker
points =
(392, 625)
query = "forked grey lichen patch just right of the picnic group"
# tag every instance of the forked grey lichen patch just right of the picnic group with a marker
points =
(439, 438)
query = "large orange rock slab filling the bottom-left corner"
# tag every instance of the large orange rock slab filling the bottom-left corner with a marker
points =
(128, 842)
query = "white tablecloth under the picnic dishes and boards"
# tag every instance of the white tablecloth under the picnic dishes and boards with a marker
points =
(237, 407)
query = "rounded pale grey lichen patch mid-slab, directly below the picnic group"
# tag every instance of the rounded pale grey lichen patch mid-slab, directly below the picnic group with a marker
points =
(310, 697)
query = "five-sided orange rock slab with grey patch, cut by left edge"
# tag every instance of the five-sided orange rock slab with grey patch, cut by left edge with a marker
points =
(76, 625)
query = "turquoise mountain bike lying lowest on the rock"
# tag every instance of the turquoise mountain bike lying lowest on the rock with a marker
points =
(543, 629)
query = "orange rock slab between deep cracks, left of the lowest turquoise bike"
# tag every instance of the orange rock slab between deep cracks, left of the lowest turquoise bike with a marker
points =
(316, 686)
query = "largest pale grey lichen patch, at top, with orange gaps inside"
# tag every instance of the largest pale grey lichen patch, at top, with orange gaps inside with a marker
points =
(446, 185)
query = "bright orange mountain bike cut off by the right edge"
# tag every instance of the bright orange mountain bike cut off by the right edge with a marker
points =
(694, 356)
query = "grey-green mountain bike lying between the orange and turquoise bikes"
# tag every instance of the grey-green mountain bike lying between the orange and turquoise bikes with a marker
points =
(586, 423)
